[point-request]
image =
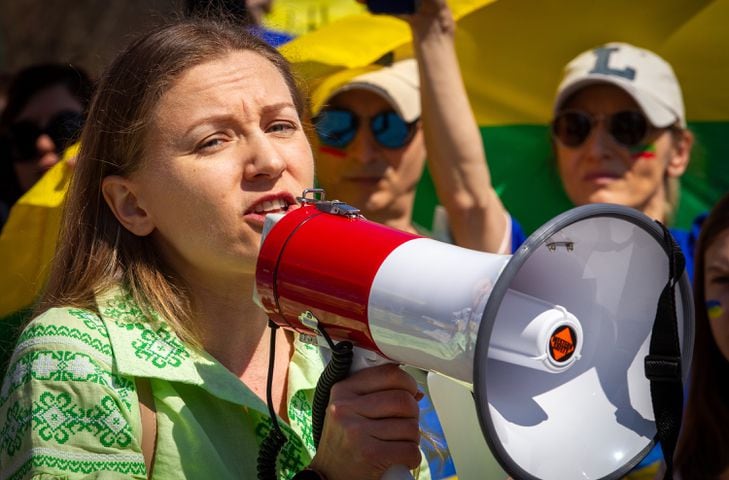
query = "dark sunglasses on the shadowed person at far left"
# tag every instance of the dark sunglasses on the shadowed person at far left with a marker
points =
(22, 137)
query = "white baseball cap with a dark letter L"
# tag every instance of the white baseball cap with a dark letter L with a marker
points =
(642, 74)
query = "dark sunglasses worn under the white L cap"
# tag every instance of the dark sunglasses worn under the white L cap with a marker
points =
(628, 128)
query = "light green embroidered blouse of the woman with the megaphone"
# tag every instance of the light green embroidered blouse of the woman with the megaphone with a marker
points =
(69, 407)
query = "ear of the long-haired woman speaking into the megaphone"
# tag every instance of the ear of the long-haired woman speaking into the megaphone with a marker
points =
(124, 203)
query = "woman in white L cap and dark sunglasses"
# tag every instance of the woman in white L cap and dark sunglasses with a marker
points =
(620, 137)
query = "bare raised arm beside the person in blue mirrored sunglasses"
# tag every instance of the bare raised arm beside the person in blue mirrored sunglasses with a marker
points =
(456, 156)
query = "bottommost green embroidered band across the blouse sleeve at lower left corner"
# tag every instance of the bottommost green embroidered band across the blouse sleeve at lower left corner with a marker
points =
(83, 464)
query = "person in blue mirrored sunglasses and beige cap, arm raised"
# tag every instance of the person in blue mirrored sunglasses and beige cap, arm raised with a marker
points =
(376, 128)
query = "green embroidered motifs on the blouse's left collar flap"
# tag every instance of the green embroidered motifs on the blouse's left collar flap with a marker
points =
(161, 347)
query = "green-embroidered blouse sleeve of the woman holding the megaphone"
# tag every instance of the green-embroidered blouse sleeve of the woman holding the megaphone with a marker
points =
(64, 412)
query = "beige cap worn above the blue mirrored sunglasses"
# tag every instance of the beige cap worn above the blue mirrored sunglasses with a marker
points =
(399, 84)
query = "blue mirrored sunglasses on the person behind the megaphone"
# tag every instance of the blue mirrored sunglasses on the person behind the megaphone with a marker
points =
(338, 127)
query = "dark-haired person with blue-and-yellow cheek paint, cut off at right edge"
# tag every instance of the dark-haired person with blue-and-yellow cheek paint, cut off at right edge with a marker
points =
(703, 448)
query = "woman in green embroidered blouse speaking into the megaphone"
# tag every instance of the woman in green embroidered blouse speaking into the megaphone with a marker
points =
(147, 356)
